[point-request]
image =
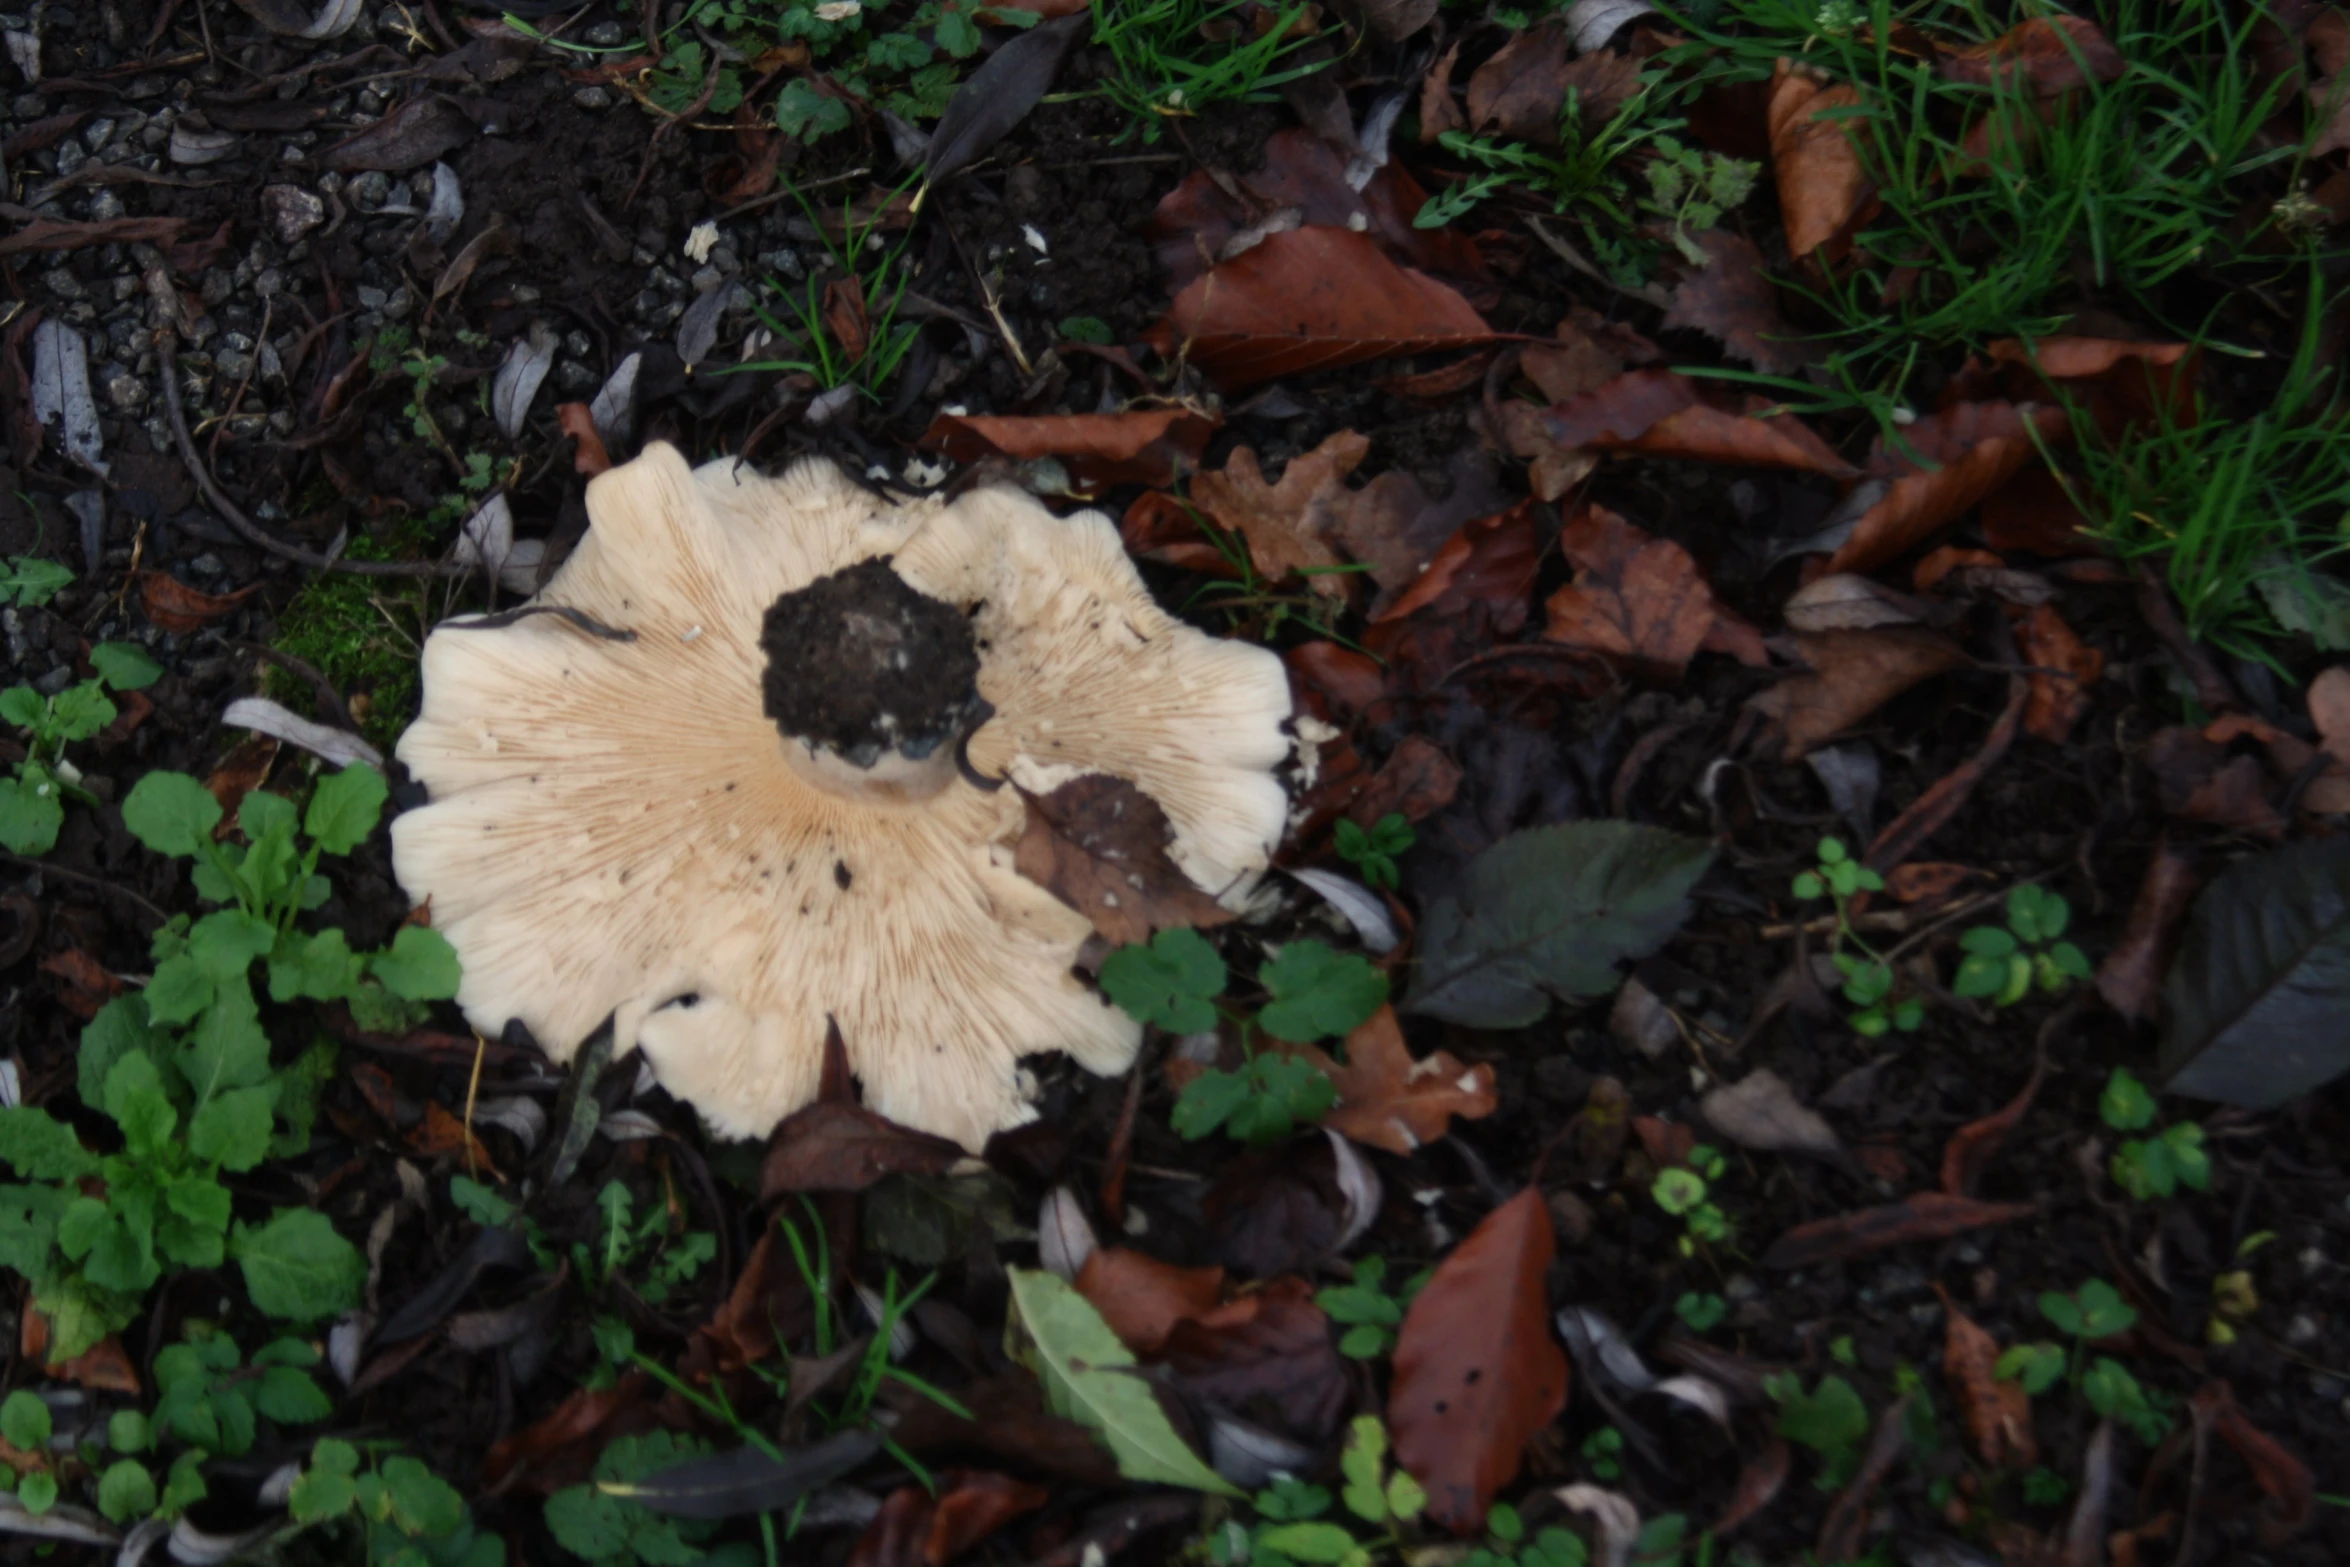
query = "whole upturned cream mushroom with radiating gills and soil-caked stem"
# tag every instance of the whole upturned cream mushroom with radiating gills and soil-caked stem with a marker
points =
(779, 800)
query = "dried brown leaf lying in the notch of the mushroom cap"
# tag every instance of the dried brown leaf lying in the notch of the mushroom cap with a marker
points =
(1101, 847)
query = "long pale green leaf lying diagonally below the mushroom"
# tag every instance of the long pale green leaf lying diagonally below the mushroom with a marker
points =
(1092, 1378)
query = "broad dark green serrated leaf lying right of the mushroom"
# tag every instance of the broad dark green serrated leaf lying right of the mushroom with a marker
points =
(1552, 913)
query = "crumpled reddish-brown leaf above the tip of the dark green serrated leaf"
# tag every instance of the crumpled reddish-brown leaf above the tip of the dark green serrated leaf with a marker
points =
(1634, 598)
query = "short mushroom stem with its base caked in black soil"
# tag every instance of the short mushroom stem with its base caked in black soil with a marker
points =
(873, 685)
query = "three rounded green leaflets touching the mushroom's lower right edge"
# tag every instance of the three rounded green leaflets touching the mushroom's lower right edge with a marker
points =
(1317, 993)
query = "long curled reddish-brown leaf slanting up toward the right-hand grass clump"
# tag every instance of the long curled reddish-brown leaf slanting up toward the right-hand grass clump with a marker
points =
(1968, 452)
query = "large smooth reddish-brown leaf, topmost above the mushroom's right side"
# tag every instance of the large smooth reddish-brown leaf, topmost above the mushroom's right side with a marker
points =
(1312, 300)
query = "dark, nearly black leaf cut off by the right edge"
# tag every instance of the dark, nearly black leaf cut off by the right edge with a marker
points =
(2260, 997)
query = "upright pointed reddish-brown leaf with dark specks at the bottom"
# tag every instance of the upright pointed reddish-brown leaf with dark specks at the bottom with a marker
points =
(1477, 1368)
